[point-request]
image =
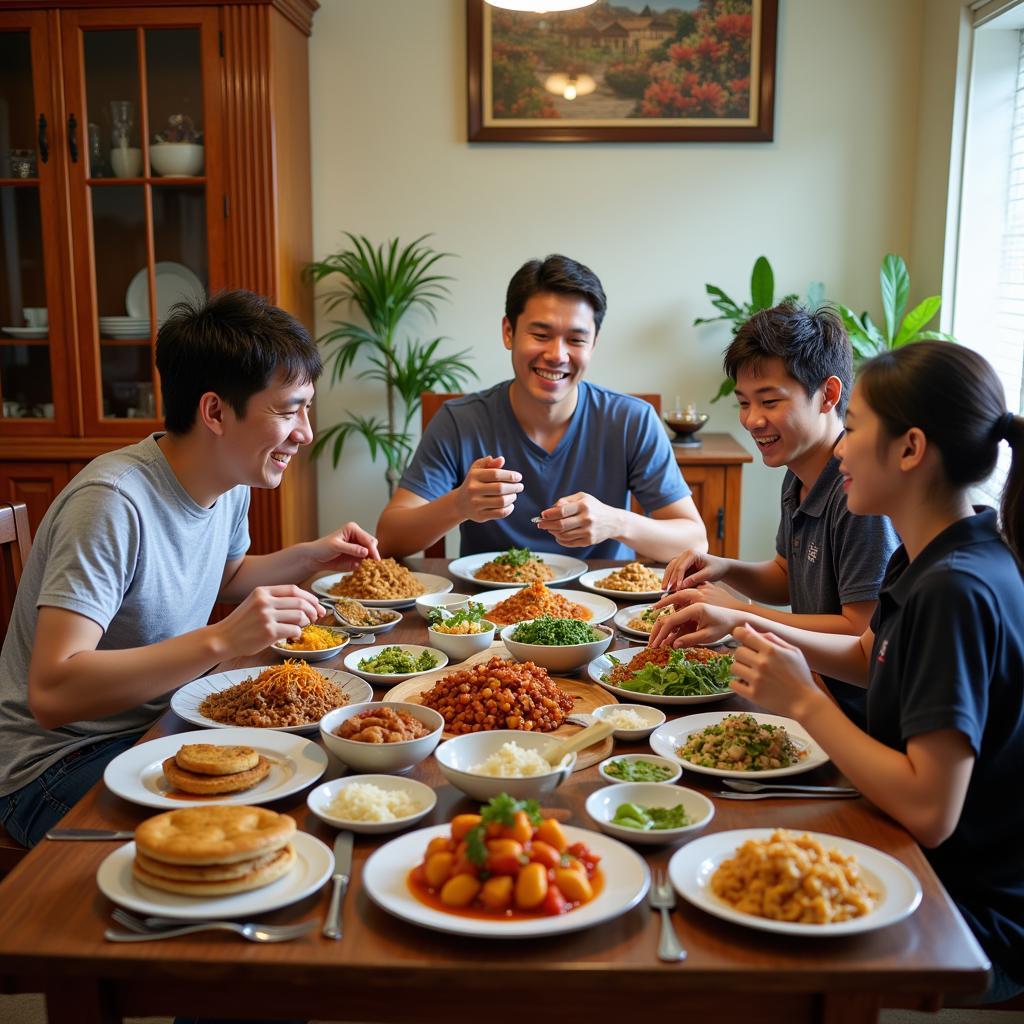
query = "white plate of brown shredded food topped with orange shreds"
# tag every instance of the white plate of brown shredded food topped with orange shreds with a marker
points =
(291, 698)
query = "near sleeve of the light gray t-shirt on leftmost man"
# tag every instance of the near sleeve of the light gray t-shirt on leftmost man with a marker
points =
(94, 552)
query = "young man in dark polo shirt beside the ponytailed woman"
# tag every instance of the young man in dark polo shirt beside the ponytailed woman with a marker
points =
(794, 373)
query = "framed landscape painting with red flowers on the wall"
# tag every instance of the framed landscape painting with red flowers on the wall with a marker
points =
(620, 71)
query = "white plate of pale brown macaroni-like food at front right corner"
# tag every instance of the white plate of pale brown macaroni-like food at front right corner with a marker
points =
(728, 875)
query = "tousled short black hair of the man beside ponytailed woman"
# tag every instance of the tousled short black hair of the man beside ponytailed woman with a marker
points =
(813, 345)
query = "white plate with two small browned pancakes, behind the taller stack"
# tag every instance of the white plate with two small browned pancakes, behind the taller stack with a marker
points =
(224, 766)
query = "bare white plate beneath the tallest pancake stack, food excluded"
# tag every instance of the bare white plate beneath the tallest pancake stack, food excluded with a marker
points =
(314, 866)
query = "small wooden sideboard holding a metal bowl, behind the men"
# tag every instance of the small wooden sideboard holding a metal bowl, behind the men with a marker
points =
(714, 473)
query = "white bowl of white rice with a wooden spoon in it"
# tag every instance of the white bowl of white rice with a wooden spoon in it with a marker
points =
(486, 764)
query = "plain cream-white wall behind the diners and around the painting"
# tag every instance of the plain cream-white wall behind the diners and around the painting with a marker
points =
(826, 201)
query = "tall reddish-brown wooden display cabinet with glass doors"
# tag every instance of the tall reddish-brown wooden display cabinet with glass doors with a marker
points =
(98, 244)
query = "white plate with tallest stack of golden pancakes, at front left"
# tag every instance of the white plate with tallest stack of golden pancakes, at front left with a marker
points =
(219, 862)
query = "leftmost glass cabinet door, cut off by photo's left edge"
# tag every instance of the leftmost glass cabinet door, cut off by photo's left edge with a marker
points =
(36, 397)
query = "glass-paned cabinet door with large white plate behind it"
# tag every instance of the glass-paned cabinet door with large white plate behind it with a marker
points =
(145, 186)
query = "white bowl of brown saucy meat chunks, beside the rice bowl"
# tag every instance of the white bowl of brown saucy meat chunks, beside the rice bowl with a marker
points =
(371, 737)
